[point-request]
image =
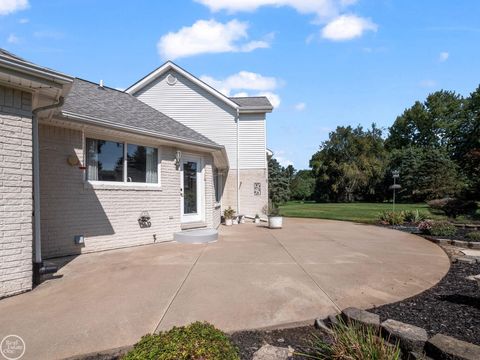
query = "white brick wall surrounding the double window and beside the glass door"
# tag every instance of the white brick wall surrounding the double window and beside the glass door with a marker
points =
(107, 217)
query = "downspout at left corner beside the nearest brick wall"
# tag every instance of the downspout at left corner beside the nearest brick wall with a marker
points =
(38, 267)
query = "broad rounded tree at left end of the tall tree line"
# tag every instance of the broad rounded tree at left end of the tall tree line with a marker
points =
(349, 165)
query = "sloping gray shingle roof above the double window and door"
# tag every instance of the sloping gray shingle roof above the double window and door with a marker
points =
(107, 104)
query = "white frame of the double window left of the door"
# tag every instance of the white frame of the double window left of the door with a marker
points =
(125, 177)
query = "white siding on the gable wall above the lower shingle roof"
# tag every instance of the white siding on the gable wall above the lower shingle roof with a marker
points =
(194, 107)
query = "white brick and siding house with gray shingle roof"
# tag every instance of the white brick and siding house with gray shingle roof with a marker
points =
(102, 169)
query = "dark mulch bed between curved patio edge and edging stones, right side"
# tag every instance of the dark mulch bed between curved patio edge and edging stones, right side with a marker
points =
(452, 307)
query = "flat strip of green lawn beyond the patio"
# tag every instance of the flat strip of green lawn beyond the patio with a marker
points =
(360, 212)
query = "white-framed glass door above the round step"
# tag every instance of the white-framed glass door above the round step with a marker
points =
(191, 189)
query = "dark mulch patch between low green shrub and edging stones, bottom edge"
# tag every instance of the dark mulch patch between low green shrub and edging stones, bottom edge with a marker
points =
(299, 338)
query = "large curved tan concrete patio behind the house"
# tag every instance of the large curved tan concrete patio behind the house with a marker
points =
(252, 277)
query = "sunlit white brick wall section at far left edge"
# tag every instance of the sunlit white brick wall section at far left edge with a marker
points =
(15, 192)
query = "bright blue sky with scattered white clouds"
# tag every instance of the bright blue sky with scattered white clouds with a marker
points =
(327, 62)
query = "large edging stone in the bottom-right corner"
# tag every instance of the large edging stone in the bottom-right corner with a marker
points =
(448, 348)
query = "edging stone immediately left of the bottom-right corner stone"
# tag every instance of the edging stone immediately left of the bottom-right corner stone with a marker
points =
(411, 338)
